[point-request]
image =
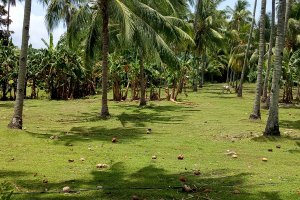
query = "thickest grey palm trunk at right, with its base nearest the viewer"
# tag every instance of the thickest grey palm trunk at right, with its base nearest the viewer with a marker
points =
(272, 126)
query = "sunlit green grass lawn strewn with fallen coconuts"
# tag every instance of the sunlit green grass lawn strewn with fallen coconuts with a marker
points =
(202, 129)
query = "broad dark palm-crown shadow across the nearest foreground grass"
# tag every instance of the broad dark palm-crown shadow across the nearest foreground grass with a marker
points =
(149, 182)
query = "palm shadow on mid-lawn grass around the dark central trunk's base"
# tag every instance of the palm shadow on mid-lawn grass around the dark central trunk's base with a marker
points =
(138, 118)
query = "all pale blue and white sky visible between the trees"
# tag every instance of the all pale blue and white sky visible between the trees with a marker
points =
(38, 29)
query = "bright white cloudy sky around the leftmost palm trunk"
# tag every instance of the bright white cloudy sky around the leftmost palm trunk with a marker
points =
(37, 28)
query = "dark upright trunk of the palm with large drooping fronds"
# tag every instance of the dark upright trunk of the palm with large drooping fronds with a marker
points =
(105, 49)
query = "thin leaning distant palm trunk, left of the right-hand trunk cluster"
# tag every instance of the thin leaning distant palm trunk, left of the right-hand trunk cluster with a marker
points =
(240, 88)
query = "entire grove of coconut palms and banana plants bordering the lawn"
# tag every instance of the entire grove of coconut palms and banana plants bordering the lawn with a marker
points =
(154, 50)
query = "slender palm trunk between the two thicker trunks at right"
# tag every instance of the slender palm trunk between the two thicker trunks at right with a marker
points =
(266, 81)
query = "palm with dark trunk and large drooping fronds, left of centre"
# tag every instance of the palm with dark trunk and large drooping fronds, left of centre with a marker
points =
(132, 22)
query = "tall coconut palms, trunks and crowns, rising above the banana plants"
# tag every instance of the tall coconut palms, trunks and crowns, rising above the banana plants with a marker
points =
(167, 29)
